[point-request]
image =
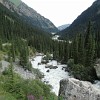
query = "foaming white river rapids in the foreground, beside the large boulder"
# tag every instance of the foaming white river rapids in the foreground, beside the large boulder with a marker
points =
(53, 76)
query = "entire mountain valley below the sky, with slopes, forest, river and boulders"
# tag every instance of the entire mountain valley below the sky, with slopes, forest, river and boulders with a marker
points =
(39, 61)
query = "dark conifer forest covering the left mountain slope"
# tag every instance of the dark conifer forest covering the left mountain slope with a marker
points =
(14, 29)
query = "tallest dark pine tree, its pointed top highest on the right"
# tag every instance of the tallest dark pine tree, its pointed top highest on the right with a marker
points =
(89, 47)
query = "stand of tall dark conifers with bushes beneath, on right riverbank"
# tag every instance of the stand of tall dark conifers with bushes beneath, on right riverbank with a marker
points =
(85, 49)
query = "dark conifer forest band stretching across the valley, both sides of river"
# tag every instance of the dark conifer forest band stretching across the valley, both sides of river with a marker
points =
(22, 36)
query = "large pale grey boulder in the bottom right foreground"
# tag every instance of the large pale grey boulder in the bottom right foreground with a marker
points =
(73, 89)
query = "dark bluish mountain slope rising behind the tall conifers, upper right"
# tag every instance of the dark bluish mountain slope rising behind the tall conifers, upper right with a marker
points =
(80, 23)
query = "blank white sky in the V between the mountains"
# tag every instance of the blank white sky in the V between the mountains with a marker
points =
(59, 11)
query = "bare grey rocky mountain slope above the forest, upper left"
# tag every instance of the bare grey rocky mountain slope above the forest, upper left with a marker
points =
(29, 15)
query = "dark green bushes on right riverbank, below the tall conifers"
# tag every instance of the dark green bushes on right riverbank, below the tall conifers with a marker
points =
(81, 72)
